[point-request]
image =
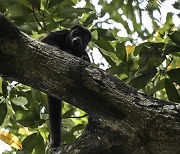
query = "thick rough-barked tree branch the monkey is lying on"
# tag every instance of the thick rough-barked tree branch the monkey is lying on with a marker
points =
(122, 120)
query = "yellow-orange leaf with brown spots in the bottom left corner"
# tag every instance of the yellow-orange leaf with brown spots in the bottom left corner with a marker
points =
(11, 139)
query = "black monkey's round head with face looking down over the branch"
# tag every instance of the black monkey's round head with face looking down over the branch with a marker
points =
(78, 38)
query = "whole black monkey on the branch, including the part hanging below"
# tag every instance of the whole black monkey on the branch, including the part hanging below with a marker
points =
(73, 41)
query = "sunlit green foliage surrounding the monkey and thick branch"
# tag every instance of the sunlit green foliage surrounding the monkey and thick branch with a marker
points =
(151, 65)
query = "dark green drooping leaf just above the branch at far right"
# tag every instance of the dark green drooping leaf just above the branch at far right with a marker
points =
(171, 91)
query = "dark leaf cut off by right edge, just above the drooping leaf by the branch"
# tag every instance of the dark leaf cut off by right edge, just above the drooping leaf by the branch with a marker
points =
(174, 75)
